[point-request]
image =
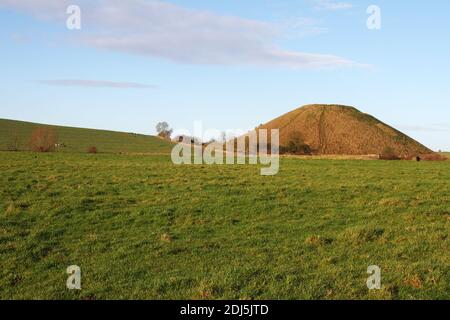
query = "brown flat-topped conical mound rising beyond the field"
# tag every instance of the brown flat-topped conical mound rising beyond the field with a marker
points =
(336, 129)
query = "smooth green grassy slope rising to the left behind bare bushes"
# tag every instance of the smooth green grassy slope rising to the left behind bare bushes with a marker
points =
(79, 140)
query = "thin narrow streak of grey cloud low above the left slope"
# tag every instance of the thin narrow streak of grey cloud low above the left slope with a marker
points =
(95, 84)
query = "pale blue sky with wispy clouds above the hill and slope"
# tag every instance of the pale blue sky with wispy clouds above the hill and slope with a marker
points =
(231, 64)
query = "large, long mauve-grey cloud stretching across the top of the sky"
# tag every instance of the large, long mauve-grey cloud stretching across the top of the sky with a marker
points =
(159, 29)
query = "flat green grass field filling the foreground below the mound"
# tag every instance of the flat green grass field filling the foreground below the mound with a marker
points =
(140, 227)
